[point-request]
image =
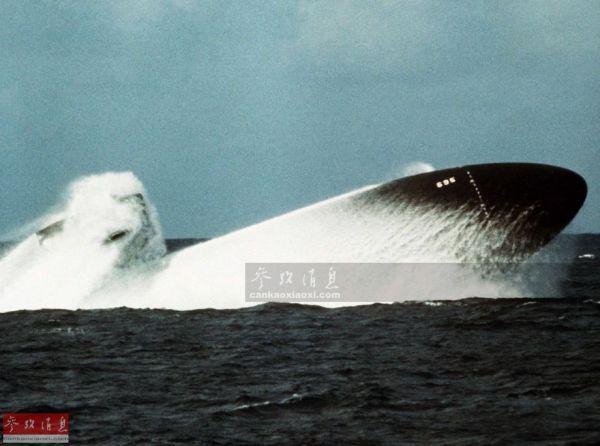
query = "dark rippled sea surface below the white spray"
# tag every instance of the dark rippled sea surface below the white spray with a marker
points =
(472, 371)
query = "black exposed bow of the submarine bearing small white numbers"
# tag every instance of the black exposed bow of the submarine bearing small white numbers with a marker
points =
(519, 207)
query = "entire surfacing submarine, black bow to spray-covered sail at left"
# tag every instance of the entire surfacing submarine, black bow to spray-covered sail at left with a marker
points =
(468, 217)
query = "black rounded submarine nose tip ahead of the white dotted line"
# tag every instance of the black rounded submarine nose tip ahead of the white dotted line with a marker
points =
(542, 198)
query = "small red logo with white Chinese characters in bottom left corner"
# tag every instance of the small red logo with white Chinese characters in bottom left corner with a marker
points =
(35, 428)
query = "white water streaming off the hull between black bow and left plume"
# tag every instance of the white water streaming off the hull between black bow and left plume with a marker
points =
(344, 230)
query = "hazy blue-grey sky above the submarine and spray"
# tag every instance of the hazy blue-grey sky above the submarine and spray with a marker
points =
(232, 112)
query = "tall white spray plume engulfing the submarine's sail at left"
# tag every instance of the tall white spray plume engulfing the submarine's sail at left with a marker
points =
(104, 227)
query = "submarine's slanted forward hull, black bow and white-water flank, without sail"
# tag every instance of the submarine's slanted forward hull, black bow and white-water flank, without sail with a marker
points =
(474, 217)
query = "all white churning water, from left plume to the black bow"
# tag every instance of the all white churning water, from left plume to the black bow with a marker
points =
(79, 265)
